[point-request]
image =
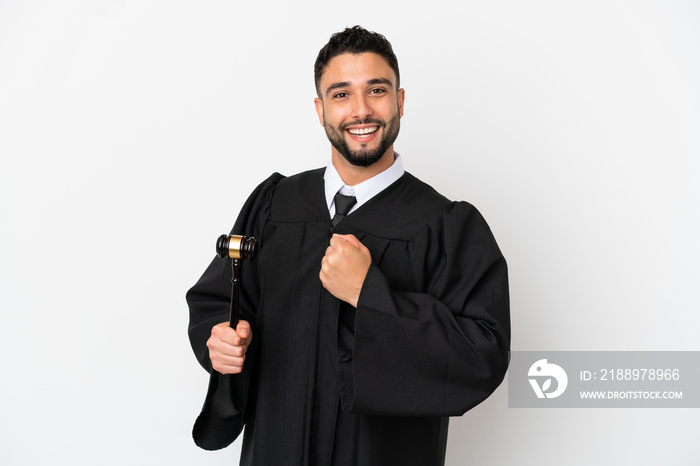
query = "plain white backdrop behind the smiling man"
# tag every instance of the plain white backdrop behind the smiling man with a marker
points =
(131, 132)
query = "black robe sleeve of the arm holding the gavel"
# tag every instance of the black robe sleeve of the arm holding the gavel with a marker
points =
(223, 414)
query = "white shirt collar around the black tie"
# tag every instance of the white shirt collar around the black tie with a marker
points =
(364, 191)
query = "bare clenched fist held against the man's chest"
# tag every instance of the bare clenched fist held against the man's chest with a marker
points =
(344, 268)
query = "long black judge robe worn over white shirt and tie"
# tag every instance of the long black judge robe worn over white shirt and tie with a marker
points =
(325, 384)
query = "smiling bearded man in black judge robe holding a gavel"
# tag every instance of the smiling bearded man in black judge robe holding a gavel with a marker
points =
(362, 330)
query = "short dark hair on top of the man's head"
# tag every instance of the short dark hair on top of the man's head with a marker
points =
(354, 40)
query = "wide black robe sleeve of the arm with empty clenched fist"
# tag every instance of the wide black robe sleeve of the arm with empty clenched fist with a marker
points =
(444, 349)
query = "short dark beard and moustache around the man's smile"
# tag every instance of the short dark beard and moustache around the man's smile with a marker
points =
(365, 156)
